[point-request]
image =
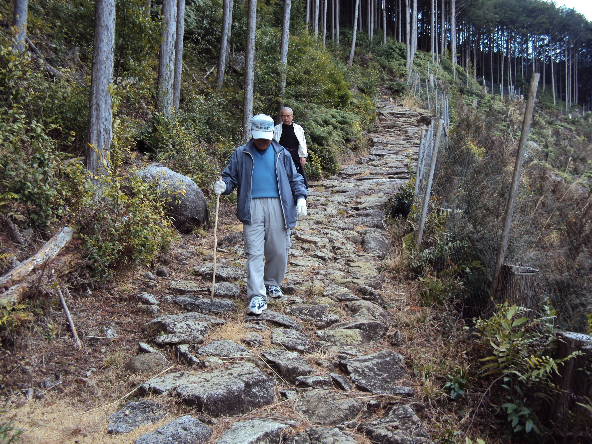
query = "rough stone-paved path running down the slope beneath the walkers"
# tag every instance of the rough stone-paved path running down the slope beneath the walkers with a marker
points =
(320, 365)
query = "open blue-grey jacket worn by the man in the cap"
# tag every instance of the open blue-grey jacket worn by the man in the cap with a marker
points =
(238, 174)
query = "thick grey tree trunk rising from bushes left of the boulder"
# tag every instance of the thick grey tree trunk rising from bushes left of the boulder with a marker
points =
(101, 113)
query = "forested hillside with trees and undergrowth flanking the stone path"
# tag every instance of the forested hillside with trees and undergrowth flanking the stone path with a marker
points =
(93, 91)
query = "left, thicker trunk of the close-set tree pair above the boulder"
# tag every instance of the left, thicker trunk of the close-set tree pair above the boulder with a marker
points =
(167, 57)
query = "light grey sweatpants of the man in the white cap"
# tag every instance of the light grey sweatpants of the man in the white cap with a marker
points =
(267, 243)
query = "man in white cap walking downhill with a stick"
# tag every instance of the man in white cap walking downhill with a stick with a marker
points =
(271, 198)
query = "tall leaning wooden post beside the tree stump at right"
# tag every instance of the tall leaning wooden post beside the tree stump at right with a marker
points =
(501, 254)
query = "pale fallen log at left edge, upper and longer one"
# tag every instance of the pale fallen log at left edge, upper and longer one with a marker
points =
(48, 252)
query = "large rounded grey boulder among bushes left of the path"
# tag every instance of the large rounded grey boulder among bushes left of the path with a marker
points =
(186, 203)
